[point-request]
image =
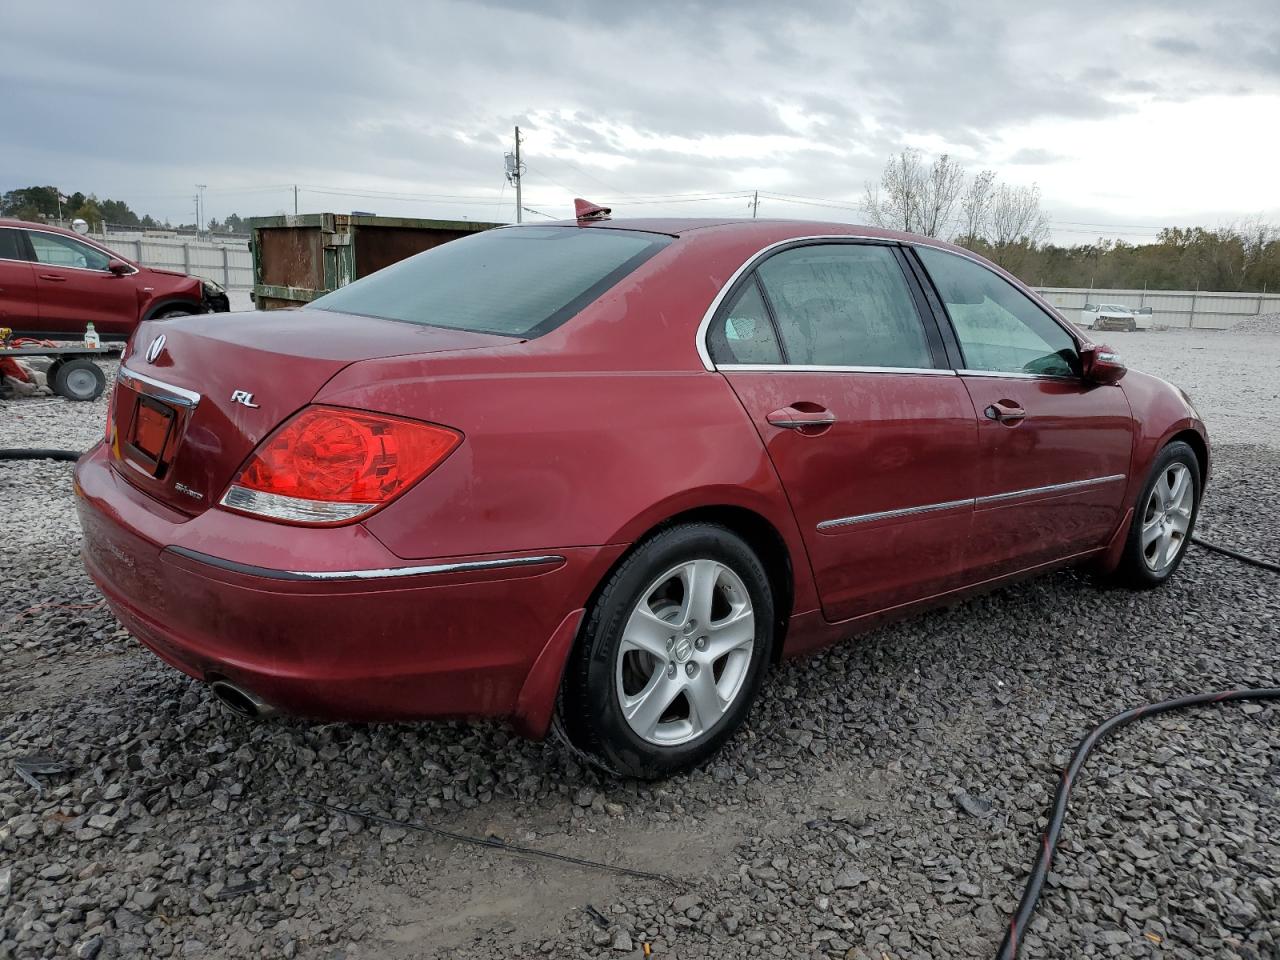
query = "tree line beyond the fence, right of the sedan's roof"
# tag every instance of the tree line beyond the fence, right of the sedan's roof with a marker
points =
(1007, 225)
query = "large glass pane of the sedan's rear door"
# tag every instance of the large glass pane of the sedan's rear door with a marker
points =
(845, 305)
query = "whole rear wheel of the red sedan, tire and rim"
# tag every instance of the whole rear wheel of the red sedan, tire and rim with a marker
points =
(673, 653)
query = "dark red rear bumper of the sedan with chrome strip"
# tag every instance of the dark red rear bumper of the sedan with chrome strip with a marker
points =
(368, 638)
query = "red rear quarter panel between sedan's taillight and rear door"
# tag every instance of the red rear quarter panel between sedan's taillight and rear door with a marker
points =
(556, 460)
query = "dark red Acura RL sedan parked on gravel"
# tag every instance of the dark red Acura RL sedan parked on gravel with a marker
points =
(604, 474)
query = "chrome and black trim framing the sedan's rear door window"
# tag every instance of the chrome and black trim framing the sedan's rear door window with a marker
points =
(748, 272)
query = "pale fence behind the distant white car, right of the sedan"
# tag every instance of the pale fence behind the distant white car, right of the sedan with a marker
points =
(1203, 310)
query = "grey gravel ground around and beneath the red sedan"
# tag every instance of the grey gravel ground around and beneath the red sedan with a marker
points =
(884, 802)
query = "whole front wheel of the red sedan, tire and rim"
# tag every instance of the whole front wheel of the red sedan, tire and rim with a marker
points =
(1165, 519)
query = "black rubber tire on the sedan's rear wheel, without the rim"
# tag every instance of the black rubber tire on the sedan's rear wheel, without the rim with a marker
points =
(589, 710)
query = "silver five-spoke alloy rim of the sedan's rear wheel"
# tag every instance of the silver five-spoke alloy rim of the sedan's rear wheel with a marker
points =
(685, 653)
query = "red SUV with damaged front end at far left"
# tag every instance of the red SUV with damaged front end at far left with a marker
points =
(56, 282)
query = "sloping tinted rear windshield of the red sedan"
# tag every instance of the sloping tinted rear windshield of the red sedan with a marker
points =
(518, 281)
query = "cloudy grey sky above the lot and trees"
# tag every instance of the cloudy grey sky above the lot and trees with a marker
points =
(1130, 116)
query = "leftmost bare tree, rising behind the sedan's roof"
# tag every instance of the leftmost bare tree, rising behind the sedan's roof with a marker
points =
(916, 198)
